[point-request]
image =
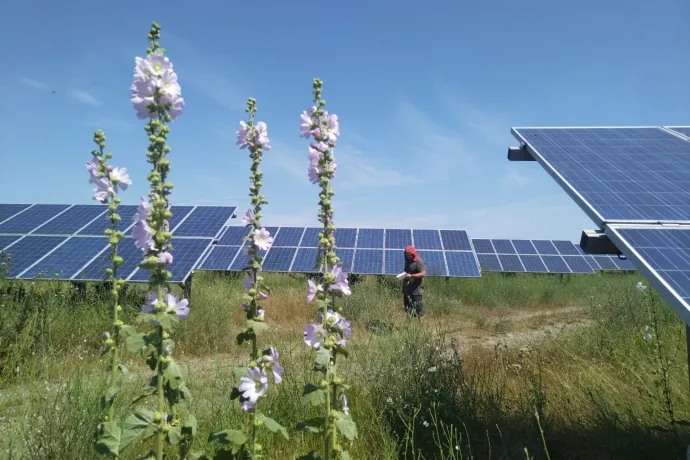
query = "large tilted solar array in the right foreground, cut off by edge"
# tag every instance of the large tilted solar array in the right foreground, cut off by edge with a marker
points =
(635, 184)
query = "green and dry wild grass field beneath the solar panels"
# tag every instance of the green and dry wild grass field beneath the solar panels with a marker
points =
(492, 358)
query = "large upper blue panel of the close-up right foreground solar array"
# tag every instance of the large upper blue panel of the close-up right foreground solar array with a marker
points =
(630, 174)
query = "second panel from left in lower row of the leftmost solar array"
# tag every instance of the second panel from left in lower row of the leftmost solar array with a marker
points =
(68, 259)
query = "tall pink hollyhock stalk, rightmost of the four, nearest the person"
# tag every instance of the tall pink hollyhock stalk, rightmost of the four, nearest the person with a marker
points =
(329, 335)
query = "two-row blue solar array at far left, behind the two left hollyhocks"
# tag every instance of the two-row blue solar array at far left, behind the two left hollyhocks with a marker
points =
(66, 241)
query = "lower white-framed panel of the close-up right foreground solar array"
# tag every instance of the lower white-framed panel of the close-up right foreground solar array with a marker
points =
(662, 255)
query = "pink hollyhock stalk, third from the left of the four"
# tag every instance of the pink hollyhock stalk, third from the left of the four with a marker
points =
(254, 382)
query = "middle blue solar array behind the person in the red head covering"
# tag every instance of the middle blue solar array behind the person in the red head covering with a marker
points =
(361, 250)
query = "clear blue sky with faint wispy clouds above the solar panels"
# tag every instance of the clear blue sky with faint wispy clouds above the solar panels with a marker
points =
(426, 94)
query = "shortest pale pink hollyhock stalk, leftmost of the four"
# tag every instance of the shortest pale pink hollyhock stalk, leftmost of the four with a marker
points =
(108, 180)
